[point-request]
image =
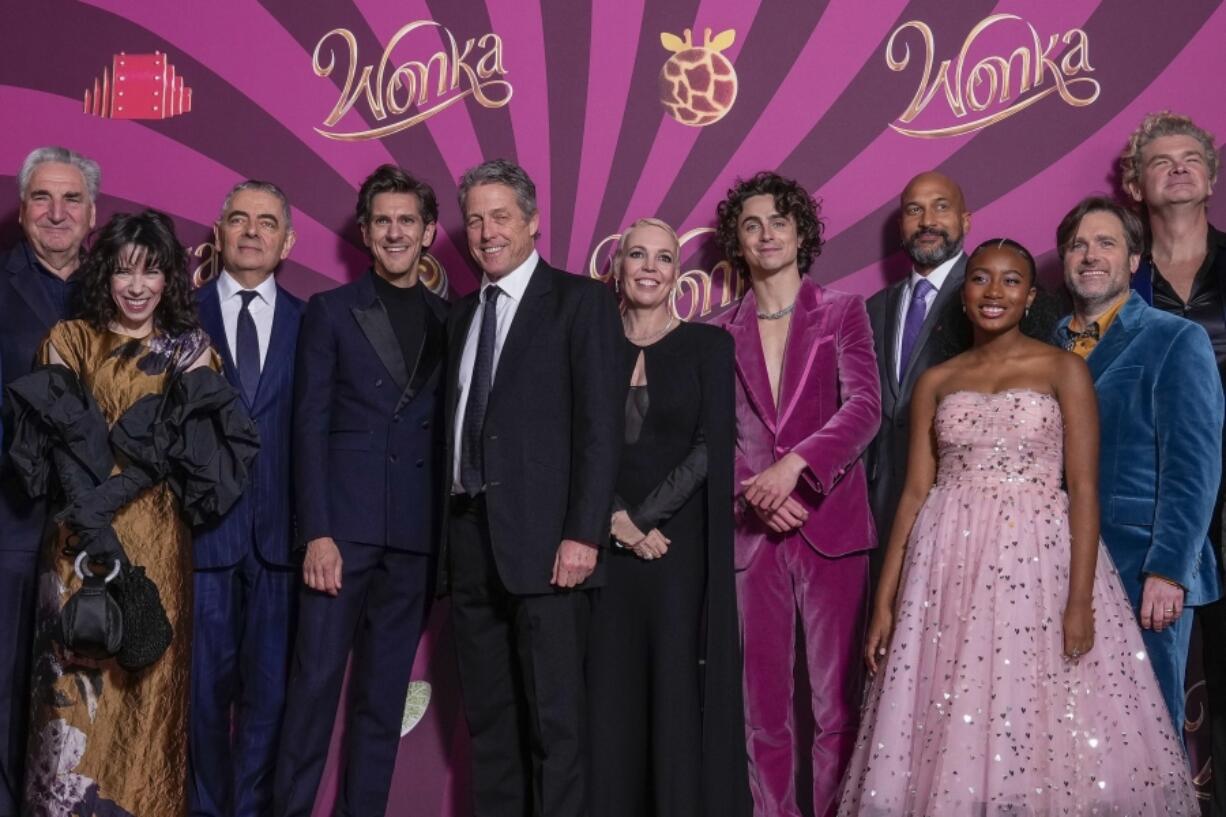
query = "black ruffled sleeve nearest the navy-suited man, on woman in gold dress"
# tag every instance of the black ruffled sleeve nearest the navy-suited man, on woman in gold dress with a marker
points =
(200, 439)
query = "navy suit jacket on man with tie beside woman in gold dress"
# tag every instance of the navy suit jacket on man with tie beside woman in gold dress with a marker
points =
(264, 515)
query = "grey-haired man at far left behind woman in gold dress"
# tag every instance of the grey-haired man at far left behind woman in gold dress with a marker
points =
(58, 192)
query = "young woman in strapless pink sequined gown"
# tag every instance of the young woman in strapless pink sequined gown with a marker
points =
(1010, 673)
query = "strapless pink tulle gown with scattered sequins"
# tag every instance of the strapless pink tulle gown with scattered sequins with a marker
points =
(977, 712)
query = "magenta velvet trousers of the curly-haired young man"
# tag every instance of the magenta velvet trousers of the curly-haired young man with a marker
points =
(786, 582)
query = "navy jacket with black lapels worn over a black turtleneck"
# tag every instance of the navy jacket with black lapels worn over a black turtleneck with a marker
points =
(366, 423)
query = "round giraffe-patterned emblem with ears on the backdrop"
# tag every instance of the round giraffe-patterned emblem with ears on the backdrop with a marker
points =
(698, 85)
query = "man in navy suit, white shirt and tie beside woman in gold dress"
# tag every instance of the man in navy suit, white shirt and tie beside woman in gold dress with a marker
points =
(246, 577)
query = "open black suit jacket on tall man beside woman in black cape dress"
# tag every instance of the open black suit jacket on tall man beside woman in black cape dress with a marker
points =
(554, 426)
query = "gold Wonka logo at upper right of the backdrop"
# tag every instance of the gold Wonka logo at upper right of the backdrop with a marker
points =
(997, 86)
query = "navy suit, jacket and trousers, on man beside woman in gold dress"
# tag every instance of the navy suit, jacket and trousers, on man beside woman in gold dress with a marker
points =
(246, 586)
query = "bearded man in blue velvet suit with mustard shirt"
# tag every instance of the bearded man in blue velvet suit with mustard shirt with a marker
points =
(1160, 413)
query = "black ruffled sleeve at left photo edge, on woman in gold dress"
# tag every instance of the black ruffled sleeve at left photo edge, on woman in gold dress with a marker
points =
(52, 409)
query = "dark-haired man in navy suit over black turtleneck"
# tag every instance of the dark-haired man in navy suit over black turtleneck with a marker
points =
(367, 483)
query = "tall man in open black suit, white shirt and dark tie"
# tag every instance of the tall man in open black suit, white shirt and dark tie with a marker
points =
(534, 428)
